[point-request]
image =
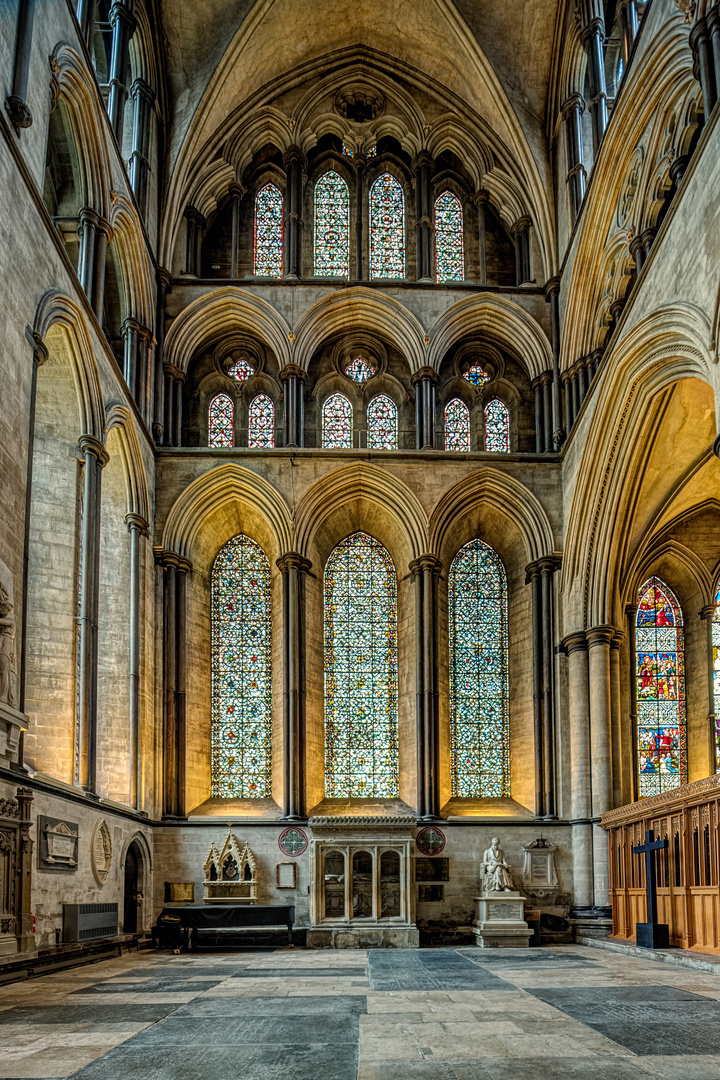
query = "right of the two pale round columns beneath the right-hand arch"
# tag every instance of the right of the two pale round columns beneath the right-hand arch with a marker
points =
(599, 645)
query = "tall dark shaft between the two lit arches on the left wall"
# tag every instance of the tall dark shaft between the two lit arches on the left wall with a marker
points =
(96, 457)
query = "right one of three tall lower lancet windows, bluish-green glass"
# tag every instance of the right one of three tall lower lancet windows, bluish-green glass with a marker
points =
(480, 726)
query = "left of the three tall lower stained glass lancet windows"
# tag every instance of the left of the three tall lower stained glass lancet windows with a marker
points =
(241, 735)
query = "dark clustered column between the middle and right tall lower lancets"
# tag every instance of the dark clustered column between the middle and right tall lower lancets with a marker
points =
(427, 571)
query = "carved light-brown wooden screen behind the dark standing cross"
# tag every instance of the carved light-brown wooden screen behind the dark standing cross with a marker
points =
(688, 871)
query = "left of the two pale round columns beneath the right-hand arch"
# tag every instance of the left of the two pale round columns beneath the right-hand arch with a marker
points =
(580, 775)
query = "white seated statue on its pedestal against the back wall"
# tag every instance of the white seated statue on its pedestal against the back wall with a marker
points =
(500, 909)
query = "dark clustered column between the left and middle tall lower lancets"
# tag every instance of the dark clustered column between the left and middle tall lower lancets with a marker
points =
(294, 569)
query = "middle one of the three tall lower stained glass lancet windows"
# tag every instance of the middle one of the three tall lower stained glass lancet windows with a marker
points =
(361, 671)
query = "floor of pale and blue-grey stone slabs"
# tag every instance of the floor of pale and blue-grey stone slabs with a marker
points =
(569, 1014)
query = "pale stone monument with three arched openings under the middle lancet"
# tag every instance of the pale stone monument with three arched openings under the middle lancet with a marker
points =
(362, 893)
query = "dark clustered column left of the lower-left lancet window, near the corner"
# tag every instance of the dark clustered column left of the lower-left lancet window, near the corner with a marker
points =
(175, 572)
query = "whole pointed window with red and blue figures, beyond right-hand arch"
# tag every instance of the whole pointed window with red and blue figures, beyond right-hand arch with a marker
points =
(661, 690)
